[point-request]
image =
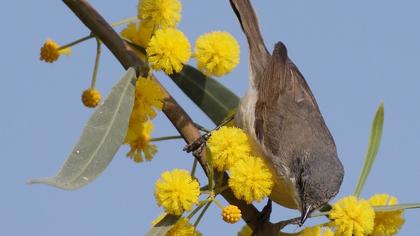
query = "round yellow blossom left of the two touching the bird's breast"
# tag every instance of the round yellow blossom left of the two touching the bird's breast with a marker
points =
(177, 191)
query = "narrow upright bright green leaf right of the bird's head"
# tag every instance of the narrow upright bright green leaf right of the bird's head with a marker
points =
(374, 142)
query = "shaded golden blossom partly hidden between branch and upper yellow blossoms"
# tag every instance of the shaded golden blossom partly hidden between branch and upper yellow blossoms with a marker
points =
(139, 33)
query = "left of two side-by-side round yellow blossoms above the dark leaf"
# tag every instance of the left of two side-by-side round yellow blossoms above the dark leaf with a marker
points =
(168, 50)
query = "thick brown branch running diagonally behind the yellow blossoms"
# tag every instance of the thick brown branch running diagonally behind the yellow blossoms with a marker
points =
(175, 113)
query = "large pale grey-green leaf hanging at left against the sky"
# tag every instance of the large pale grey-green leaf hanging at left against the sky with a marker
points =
(102, 136)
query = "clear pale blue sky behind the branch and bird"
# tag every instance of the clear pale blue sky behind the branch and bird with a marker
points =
(354, 54)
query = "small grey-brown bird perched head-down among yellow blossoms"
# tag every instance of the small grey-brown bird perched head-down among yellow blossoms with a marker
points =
(281, 115)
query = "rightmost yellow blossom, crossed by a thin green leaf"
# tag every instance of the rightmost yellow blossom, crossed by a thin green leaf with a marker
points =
(386, 223)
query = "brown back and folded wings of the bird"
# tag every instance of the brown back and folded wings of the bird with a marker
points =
(286, 112)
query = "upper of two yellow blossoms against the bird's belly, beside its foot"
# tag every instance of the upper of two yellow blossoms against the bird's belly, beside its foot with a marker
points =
(228, 145)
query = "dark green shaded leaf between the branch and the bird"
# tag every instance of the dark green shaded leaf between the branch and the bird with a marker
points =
(212, 97)
